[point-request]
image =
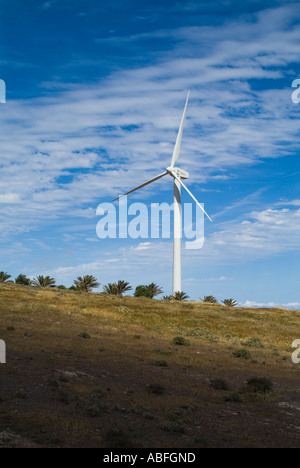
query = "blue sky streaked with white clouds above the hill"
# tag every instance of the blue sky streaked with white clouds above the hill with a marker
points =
(95, 92)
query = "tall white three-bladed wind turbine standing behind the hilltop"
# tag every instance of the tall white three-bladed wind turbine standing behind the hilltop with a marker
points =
(177, 174)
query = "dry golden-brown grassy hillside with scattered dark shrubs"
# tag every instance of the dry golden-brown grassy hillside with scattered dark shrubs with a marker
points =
(90, 370)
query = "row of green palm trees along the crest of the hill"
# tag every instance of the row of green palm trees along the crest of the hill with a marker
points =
(89, 282)
